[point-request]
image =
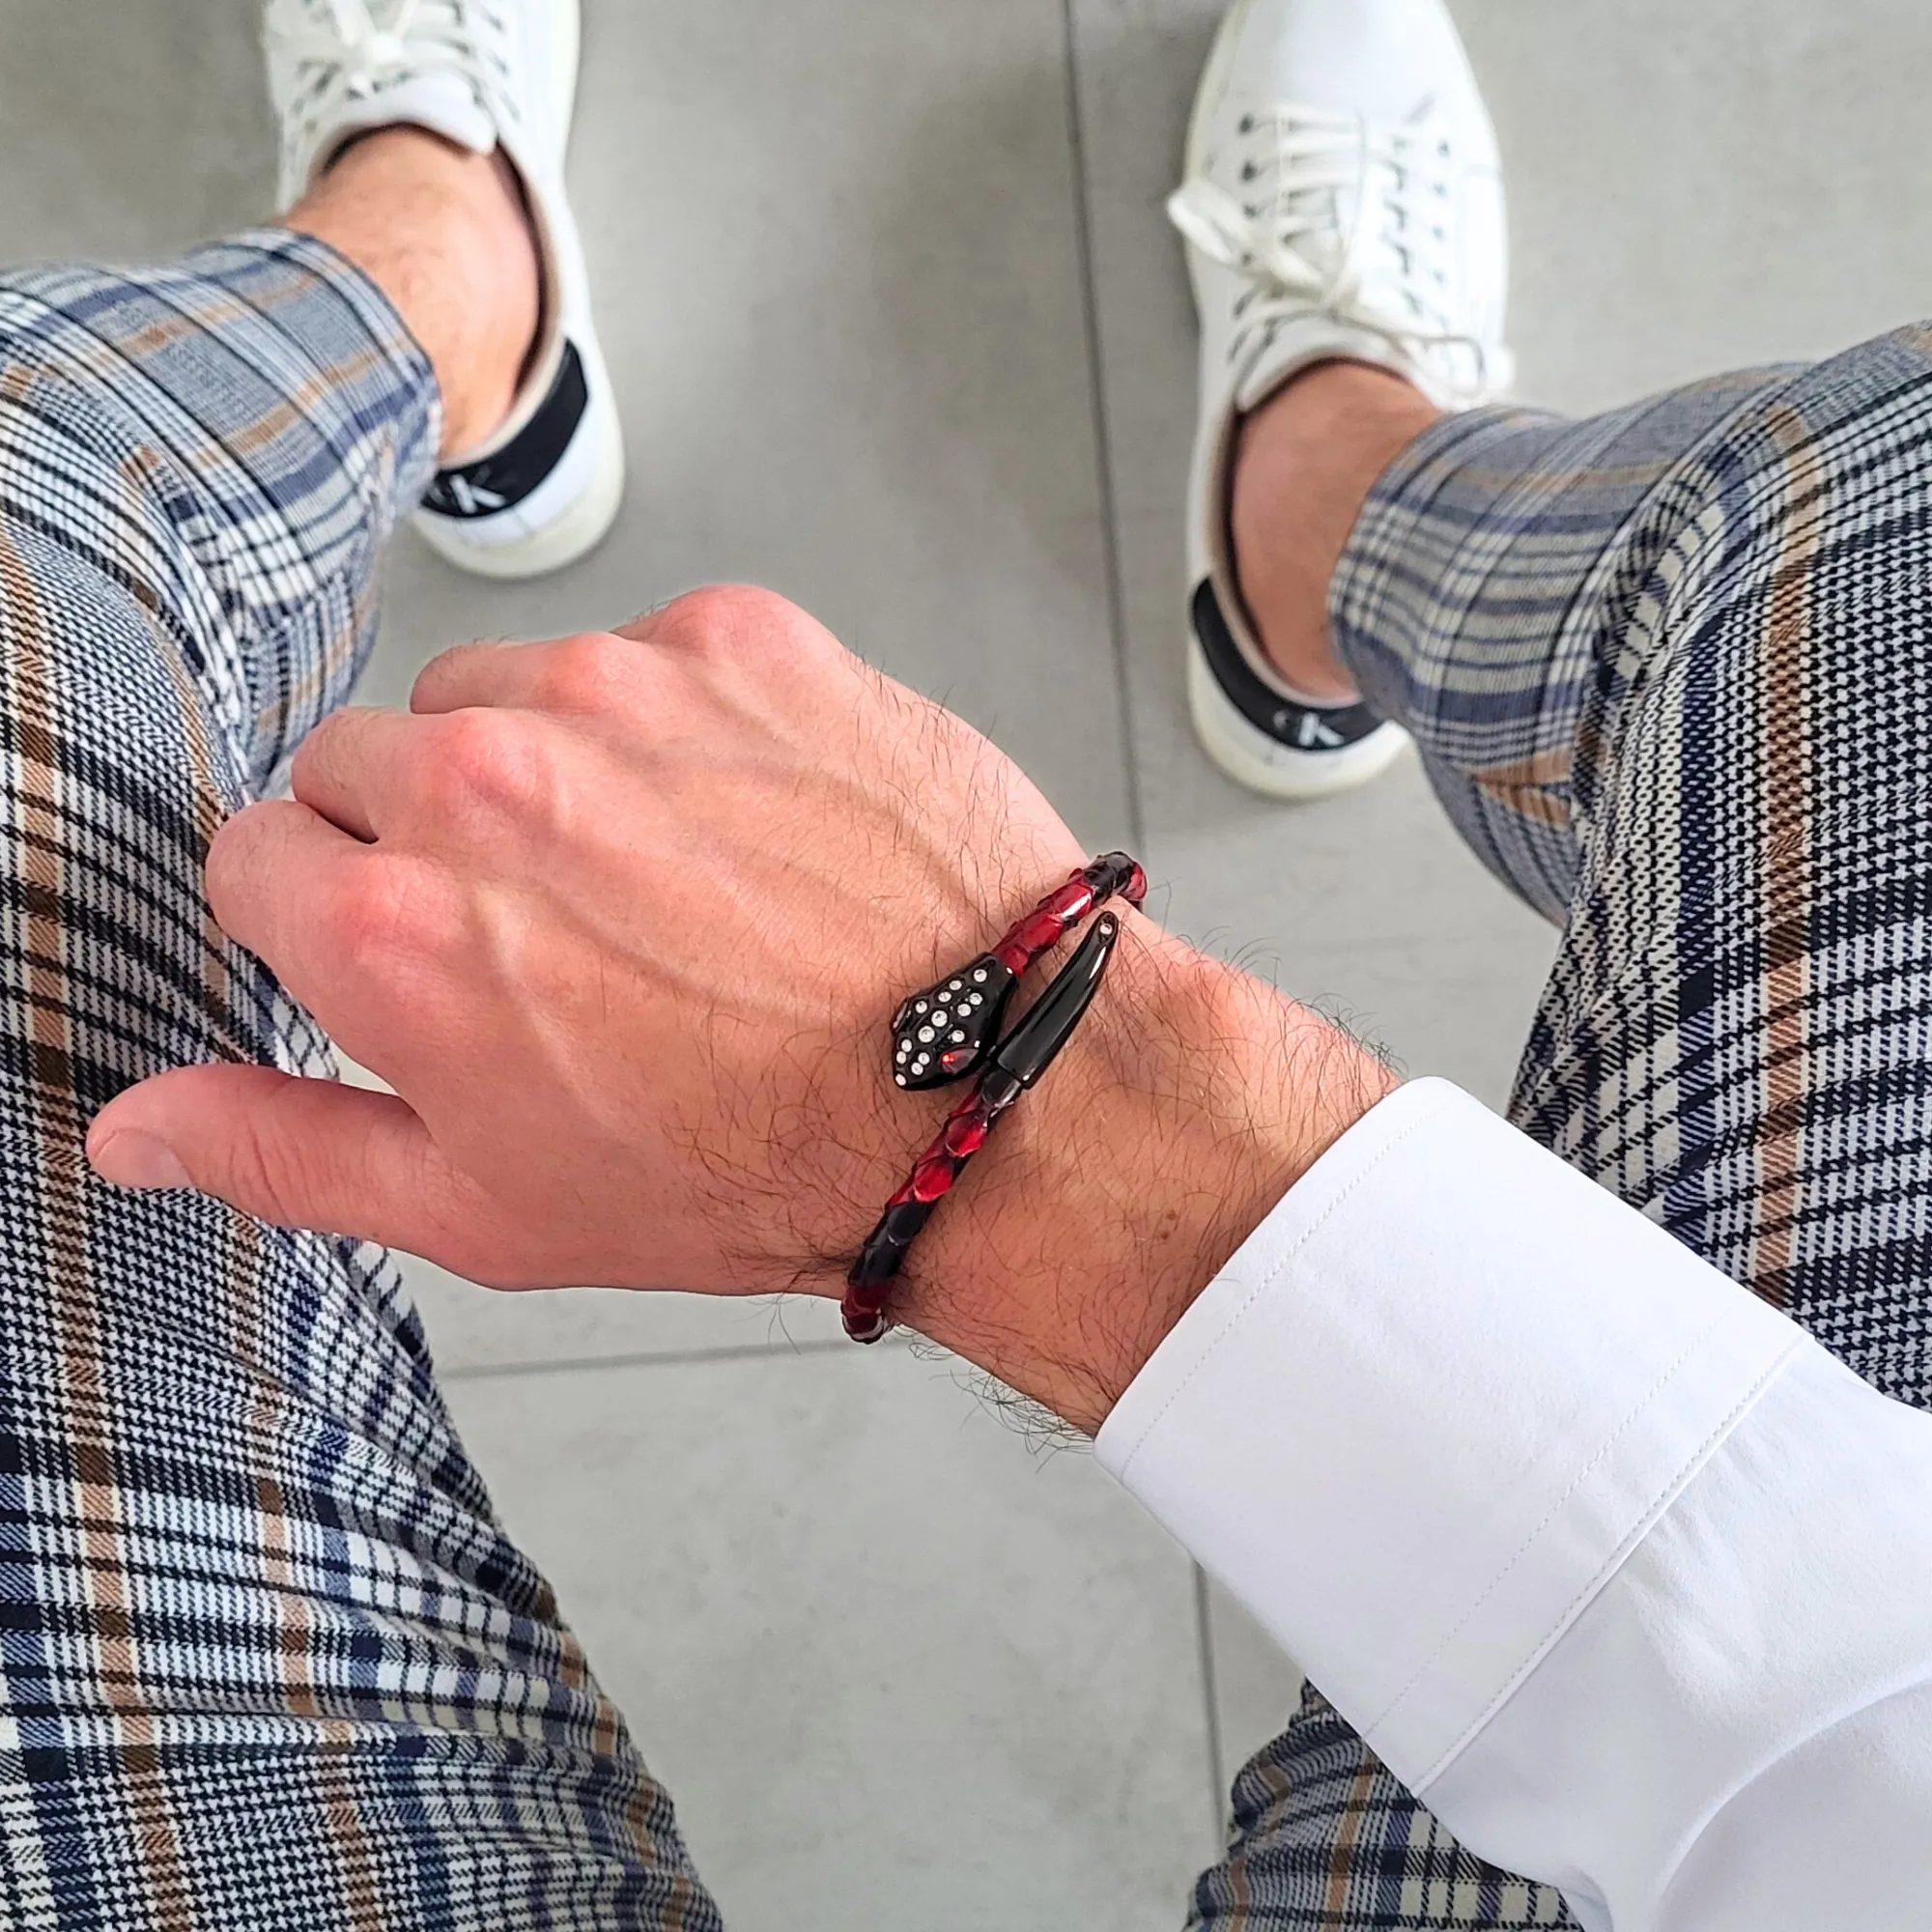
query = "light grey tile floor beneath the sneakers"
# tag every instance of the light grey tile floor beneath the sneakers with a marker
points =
(901, 333)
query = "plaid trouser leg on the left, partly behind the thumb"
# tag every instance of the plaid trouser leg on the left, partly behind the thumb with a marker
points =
(266, 1659)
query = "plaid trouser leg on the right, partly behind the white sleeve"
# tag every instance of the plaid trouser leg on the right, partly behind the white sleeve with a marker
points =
(1670, 673)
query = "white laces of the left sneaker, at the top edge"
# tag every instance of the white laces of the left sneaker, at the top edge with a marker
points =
(353, 49)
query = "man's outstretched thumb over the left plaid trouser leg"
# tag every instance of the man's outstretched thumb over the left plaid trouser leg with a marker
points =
(295, 1152)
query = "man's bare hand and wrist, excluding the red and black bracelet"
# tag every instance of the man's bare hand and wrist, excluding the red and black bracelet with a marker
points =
(623, 923)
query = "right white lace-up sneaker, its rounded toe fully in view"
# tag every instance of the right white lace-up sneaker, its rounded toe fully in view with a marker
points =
(1344, 200)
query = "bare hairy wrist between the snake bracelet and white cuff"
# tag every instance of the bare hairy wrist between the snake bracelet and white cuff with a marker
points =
(1191, 1100)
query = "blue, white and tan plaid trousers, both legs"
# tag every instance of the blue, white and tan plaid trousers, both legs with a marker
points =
(266, 1657)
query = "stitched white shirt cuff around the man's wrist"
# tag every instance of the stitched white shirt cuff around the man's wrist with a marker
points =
(1431, 1407)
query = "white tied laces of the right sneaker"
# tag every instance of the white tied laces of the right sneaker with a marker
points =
(1380, 270)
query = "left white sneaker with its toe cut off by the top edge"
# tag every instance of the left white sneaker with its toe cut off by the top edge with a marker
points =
(484, 74)
